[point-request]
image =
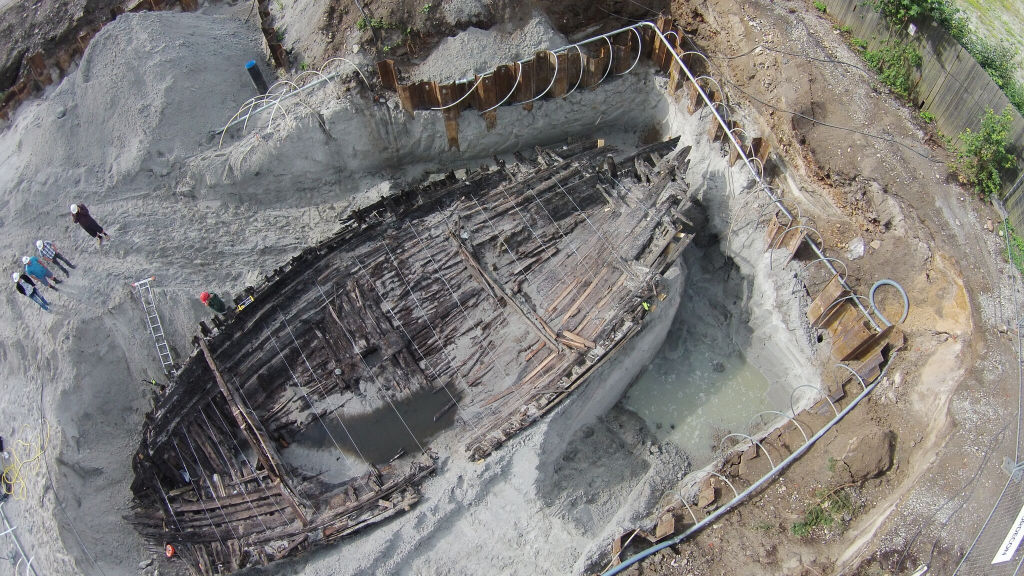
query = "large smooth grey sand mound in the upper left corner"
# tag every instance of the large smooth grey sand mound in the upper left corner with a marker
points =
(149, 91)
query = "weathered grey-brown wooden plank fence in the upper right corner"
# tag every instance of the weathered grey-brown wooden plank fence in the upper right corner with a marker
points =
(951, 85)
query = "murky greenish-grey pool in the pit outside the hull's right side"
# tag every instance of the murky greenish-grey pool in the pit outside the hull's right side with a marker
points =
(700, 387)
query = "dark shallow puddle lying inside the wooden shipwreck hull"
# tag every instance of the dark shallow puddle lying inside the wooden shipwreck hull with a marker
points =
(377, 437)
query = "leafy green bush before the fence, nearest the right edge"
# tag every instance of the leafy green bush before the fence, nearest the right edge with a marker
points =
(982, 155)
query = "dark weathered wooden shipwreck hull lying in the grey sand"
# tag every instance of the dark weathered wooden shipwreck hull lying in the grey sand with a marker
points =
(498, 293)
